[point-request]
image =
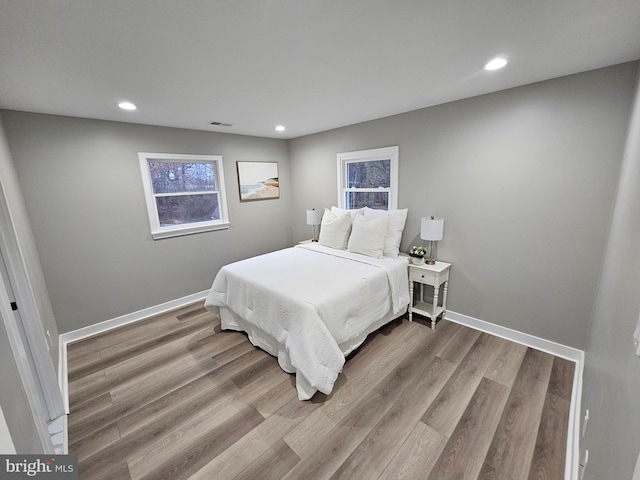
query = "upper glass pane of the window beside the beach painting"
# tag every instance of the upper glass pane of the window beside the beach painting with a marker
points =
(181, 177)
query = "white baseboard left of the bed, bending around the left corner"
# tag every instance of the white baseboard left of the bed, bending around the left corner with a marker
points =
(107, 325)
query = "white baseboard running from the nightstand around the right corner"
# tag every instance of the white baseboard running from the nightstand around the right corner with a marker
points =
(553, 348)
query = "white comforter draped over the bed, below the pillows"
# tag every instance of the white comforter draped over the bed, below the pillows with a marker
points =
(310, 306)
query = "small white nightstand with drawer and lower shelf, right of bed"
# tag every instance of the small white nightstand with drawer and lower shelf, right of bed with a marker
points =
(434, 275)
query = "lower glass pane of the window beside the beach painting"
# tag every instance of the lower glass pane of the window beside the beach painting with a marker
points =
(187, 209)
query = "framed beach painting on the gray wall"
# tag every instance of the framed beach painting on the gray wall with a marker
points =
(258, 180)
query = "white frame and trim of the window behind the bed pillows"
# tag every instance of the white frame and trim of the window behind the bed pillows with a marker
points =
(383, 153)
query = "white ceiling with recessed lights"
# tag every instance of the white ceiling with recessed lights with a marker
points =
(311, 65)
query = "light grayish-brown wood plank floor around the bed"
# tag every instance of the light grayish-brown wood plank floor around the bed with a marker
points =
(174, 397)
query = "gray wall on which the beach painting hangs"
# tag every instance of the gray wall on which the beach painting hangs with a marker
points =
(83, 192)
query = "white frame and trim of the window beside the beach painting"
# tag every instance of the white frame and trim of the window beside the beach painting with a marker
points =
(159, 232)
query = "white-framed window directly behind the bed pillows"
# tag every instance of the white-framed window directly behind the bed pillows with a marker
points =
(368, 178)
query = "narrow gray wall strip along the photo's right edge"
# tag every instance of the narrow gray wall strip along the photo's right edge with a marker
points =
(612, 370)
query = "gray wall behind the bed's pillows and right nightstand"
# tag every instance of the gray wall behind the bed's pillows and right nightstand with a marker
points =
(525, 179)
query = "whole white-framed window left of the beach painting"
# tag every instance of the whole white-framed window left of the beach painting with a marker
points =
(185, 193)
